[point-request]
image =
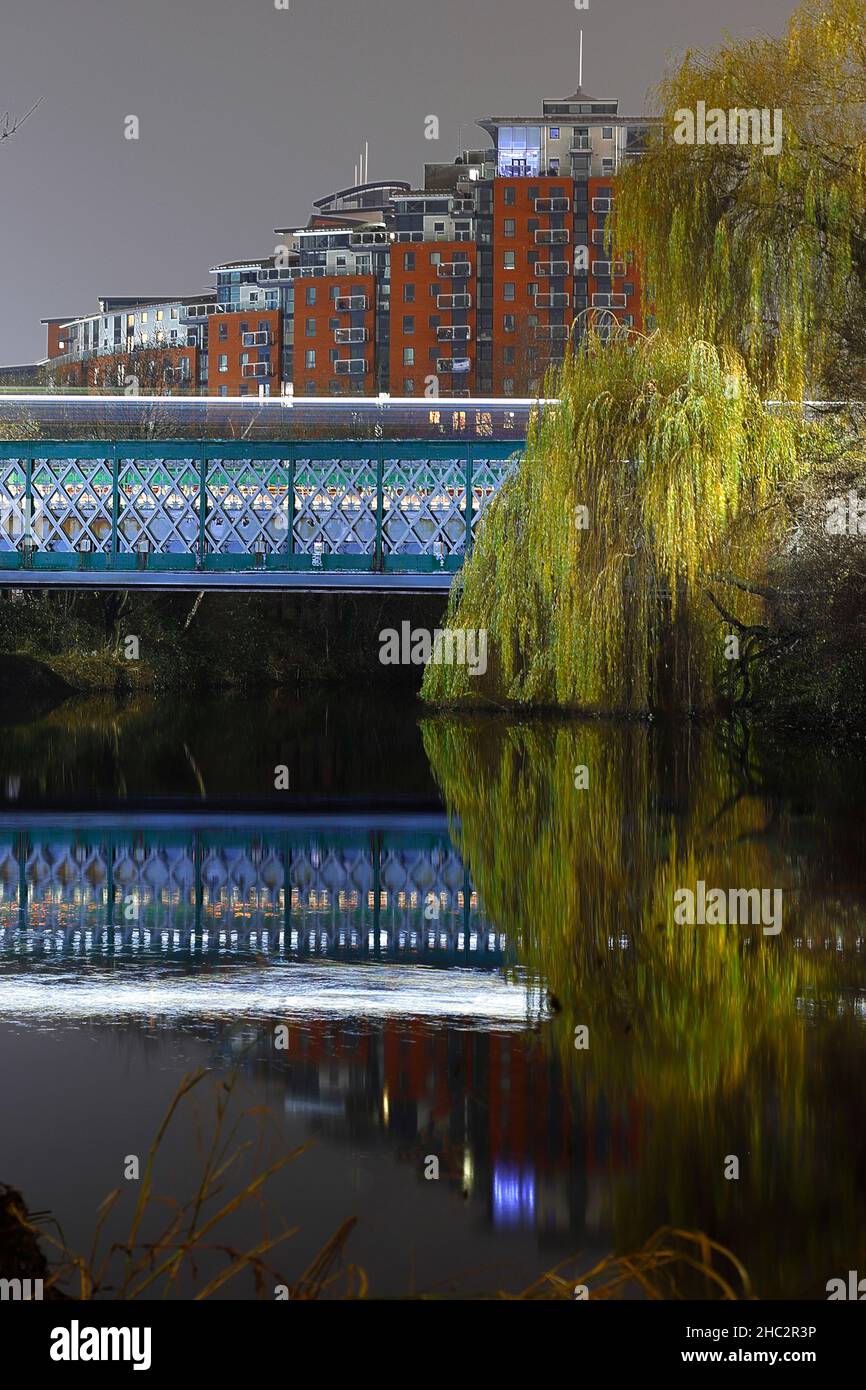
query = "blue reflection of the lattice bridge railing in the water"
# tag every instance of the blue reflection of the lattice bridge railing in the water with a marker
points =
(387, 897)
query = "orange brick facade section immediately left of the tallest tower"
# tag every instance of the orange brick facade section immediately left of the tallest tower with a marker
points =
(434, 305)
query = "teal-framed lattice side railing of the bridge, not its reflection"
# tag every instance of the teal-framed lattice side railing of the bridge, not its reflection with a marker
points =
(341, 505)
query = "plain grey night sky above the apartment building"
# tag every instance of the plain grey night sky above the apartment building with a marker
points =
(248, 113)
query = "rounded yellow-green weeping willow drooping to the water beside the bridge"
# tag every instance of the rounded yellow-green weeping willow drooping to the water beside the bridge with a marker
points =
(604, 566)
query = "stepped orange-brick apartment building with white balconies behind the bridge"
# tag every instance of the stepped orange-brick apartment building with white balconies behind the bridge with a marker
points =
(473, 284)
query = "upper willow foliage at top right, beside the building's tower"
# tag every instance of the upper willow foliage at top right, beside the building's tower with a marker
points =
(764, 252)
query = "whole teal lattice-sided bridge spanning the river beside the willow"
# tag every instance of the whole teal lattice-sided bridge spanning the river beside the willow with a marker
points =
(279, 514)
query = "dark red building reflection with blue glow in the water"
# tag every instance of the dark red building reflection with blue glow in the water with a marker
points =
(511, 1131)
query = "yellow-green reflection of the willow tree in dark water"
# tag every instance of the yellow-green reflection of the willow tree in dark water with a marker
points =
(698, 1028)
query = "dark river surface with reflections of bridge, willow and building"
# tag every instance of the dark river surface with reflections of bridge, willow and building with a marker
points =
(391, 960)
